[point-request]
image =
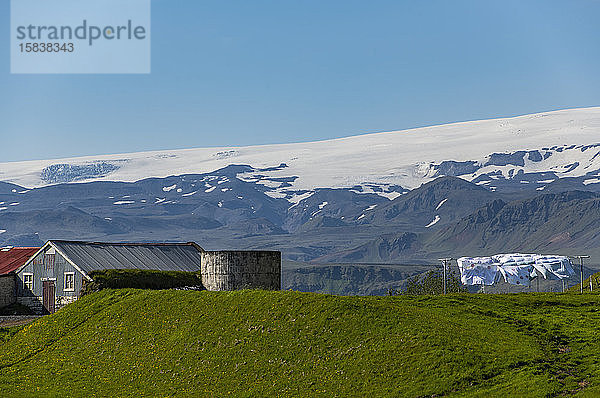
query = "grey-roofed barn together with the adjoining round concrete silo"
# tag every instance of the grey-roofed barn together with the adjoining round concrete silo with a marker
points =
(54, 275)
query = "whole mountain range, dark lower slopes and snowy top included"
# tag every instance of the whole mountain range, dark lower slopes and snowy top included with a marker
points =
(530, 183)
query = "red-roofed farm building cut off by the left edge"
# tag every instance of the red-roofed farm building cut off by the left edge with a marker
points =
(11, 258)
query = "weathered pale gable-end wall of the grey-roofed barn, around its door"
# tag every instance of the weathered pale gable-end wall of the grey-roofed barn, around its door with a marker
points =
(47, 265)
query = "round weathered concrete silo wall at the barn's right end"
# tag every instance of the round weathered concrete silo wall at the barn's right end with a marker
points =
(232, 270)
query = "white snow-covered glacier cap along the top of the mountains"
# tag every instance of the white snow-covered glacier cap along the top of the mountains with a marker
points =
(531, 149)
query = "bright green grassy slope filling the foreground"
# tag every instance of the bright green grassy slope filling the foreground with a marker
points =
(256, 343)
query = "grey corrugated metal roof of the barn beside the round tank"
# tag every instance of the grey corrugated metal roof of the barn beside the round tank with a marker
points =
(94, 256)
